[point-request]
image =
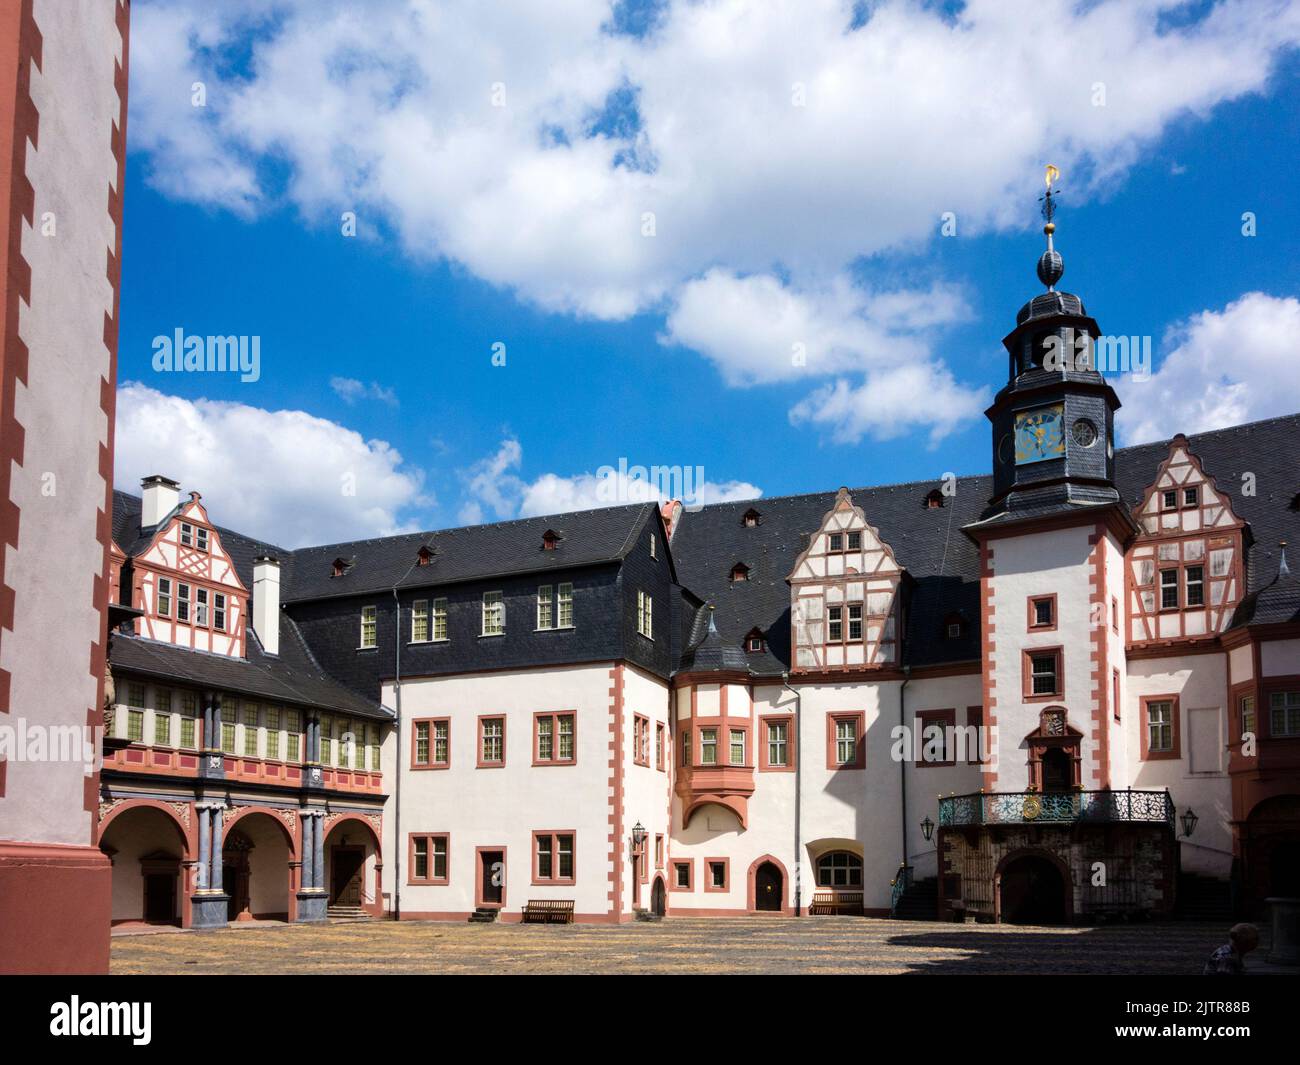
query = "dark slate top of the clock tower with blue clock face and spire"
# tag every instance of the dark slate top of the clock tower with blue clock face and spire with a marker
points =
(1054, 422)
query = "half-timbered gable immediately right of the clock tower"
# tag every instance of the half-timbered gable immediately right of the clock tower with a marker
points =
(1186, 566)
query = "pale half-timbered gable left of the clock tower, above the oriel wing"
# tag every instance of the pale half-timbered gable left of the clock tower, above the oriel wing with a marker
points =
(844, 591)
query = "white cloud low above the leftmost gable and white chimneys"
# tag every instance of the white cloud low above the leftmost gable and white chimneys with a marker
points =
(283, 477)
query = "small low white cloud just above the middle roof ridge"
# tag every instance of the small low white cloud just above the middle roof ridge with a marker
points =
(497, 491)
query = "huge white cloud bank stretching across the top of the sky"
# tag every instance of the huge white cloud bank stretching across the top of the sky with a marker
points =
(778, 136)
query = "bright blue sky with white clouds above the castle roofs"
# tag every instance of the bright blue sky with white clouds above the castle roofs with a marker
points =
(816, 226)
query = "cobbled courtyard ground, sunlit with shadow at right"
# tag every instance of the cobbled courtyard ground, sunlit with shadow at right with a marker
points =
(826, 945)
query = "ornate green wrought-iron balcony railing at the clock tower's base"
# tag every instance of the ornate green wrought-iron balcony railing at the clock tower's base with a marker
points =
(1056, 808)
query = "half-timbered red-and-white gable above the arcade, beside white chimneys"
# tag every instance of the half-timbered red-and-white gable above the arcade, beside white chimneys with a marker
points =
(187, 586)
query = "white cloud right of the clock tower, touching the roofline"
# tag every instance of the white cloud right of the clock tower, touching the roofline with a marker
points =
(1224, 369)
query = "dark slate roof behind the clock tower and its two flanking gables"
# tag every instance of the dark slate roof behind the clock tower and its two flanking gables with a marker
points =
(944, 564)
